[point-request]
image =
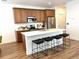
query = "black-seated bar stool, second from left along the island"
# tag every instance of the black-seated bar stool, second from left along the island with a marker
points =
(47, 40)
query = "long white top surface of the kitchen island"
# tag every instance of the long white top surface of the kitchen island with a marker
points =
(39, 32)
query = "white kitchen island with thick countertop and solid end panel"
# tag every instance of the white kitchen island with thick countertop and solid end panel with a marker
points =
(33, 35)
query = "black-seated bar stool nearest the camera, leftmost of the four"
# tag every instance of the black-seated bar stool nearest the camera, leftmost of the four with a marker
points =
(37, 42)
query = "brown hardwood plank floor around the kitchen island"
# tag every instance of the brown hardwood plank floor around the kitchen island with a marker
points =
(16, 51)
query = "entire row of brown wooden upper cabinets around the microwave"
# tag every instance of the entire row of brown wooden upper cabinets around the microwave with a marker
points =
(21, 14)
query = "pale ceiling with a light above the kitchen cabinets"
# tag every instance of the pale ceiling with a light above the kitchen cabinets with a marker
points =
(40, 3)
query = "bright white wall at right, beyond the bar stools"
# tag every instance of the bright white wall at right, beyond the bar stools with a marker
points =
(73, 19)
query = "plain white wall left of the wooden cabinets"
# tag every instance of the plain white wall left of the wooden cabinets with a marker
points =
(7, 23)
